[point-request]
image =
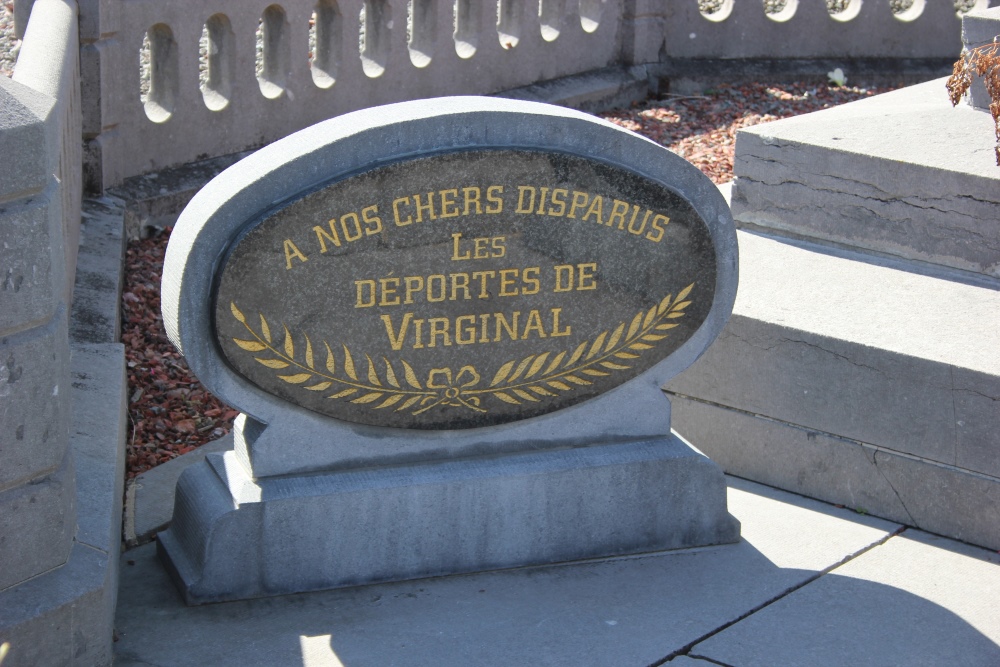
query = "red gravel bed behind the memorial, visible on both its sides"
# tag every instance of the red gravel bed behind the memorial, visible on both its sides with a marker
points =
(171, 413)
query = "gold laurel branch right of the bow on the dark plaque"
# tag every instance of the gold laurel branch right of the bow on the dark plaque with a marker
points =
(536, 377)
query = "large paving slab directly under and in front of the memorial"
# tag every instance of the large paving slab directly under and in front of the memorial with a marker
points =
(626, 611)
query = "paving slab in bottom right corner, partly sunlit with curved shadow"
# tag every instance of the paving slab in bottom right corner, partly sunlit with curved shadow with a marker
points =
(917, 599)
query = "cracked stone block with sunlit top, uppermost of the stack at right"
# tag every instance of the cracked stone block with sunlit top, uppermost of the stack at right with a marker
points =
(902, 175)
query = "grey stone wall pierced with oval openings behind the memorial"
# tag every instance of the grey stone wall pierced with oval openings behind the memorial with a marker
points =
(171, 82)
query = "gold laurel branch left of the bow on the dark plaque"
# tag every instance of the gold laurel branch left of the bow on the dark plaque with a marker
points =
(380, 387)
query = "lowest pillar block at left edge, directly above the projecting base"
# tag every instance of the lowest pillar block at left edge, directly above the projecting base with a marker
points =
(37, 525)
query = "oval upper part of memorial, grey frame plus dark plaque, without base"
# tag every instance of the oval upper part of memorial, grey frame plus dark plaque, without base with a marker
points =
(446, 265)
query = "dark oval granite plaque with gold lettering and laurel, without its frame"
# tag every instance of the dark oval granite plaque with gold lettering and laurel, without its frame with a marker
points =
(464, 289)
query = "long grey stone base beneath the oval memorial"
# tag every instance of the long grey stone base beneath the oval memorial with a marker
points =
(234, 538)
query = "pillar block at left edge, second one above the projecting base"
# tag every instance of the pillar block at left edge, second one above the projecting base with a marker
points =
(34, 402)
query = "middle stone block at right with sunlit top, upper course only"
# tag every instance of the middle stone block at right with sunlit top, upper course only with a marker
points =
(852, 349)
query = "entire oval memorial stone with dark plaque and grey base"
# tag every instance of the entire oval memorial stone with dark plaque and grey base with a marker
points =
(446, 323)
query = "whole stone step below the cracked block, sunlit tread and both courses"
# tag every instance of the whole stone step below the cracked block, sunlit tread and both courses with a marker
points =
(859, 384)
